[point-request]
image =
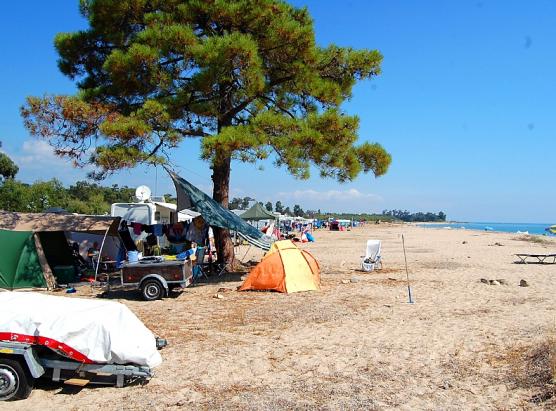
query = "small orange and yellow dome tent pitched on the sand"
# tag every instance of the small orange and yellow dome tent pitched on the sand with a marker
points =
(285, 268)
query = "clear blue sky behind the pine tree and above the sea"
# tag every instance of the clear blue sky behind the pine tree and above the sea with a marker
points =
(465, 105)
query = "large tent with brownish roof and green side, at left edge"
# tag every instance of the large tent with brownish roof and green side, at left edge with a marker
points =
(33, 244)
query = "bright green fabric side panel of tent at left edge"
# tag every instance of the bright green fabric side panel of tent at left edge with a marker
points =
(19, 261)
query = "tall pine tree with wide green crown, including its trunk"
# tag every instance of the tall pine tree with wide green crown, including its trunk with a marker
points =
(244, 76)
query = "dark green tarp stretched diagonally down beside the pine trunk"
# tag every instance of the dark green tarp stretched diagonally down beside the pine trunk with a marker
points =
(191, 198)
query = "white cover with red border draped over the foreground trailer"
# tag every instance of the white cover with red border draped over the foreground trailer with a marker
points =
(88, 331)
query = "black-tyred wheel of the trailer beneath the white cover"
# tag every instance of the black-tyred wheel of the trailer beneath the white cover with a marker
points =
(16, 381)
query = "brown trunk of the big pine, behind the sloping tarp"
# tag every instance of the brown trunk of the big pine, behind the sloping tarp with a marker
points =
(221, 179)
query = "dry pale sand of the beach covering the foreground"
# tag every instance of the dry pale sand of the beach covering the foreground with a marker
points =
(360, 345)
